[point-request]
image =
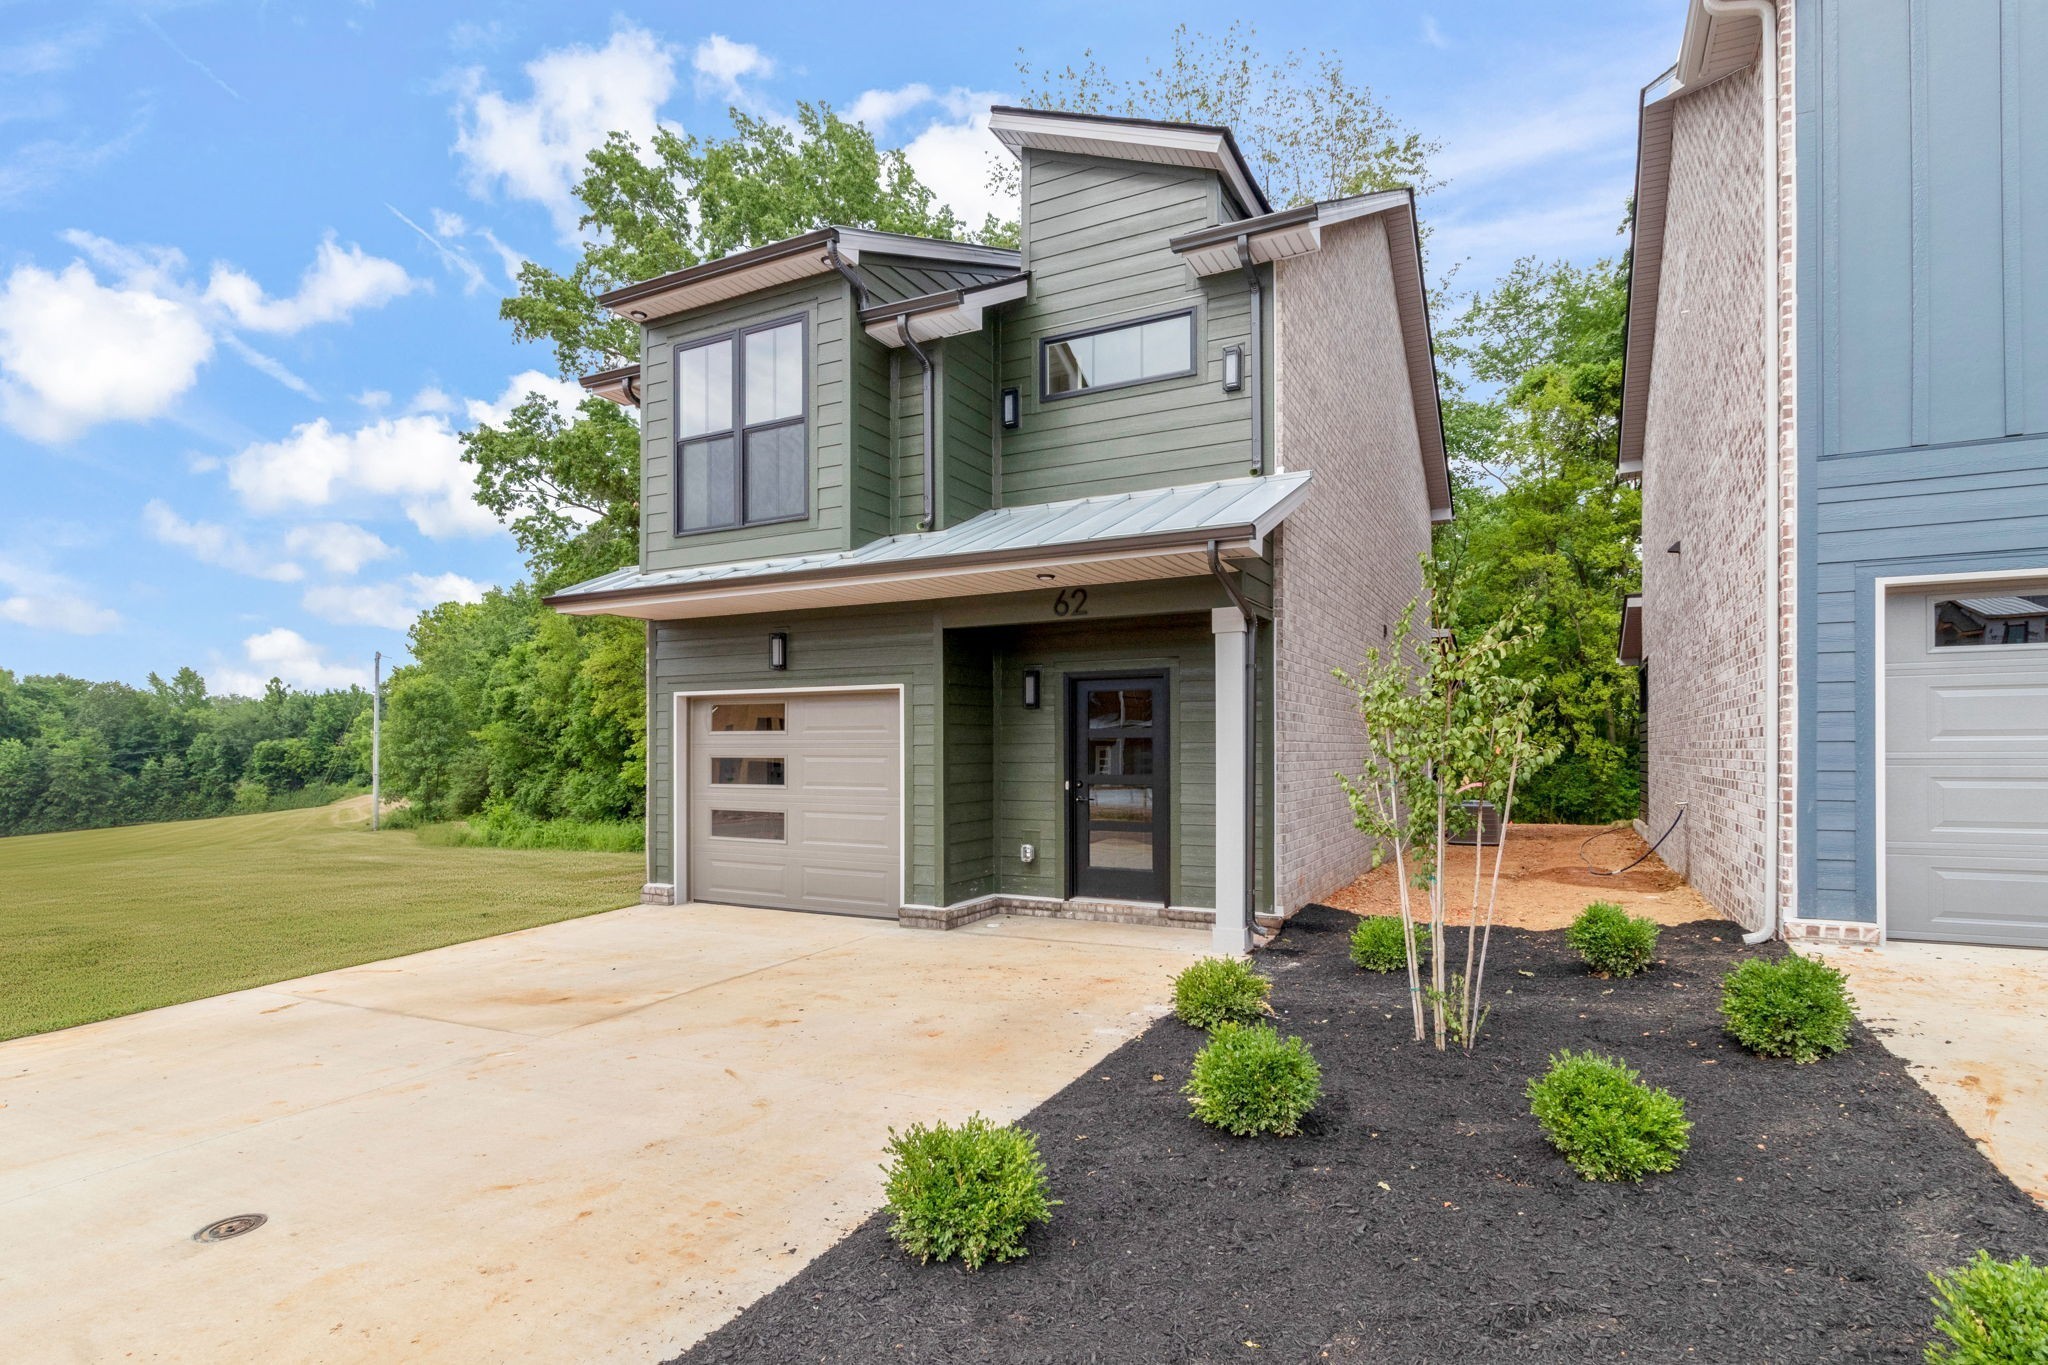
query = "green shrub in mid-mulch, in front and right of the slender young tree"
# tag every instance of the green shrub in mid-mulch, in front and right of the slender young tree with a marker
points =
(1605, 1120)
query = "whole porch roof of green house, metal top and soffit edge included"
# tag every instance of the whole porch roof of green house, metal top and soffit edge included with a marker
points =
(1117, 539)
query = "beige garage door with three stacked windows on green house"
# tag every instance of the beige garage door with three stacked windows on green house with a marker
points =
(796, 801)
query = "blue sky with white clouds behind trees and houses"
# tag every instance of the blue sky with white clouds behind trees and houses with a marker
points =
(251, 257)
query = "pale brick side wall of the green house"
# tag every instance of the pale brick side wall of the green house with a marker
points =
(1345, 562)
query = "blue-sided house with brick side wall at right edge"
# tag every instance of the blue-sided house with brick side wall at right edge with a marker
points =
(1838, 404)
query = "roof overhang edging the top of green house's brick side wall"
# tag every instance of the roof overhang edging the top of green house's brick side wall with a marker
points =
(1299, 232)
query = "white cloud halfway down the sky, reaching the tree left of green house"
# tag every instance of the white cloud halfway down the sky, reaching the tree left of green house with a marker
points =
(415, 459)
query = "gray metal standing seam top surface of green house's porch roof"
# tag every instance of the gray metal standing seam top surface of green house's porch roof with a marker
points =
(1185, 513)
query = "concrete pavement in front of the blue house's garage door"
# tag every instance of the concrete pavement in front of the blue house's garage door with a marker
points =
(1973, 1026)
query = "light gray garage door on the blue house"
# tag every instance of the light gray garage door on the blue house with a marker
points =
(1967, 764)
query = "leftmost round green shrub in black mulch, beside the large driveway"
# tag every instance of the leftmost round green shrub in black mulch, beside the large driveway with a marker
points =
(968, 1192)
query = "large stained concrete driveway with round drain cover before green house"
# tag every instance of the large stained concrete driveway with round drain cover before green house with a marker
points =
(581, 1143)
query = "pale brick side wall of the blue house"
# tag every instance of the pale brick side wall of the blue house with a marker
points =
(1707, 627)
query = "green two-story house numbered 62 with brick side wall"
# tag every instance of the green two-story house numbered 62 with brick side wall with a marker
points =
(1013, 582)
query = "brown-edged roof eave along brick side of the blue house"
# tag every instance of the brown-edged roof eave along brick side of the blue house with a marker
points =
(1715, 46)
